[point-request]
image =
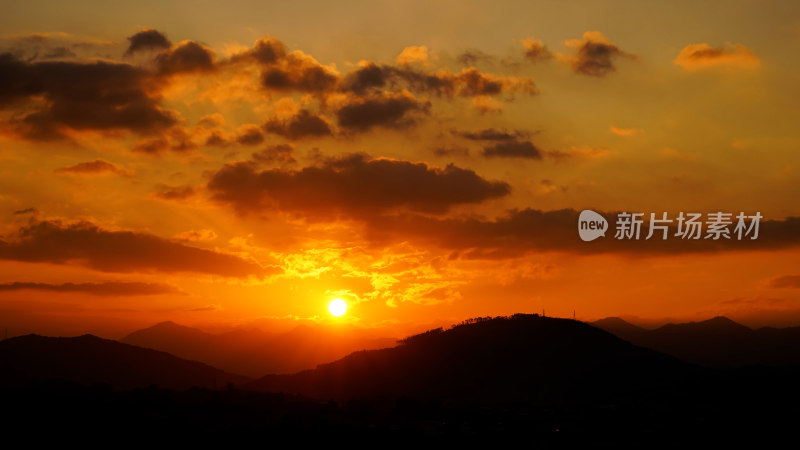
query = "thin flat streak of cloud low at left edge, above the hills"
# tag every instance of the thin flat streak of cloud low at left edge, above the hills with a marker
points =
(102, 289)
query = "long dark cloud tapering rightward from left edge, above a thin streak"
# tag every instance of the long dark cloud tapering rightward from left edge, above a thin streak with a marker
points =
(87, 244)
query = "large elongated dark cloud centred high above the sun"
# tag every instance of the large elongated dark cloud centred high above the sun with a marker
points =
(355, 185)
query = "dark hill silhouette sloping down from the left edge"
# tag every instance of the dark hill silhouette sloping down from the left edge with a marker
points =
(88, 359)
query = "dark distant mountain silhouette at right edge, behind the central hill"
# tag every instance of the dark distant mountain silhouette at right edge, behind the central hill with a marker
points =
(716, 342)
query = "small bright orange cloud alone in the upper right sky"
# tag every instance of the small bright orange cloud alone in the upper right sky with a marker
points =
(729, 56)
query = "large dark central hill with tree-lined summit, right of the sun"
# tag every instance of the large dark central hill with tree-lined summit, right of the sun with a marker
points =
(518, 358)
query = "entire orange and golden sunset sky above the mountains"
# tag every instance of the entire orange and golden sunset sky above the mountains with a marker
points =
(243, 163)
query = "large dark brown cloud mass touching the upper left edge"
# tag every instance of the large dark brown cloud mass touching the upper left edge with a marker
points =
(97, 95)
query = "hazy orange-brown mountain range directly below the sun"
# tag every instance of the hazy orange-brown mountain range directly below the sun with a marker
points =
(254, 352)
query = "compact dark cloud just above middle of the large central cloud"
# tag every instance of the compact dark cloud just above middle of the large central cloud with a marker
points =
(387, 111)
